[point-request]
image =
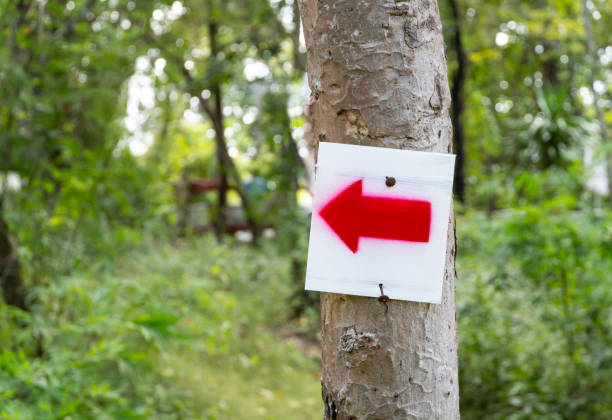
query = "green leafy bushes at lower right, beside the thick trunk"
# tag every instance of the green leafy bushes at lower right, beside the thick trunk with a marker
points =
(534, 314)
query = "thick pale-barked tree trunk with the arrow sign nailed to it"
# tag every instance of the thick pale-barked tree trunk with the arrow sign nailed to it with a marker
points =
(377, 71)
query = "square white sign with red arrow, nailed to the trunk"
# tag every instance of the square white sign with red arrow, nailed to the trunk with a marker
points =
(380, 216)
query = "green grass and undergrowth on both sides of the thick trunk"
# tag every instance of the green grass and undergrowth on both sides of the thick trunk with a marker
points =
(201, 331)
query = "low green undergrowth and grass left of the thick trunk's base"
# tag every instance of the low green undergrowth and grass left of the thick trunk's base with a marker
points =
(163, 333)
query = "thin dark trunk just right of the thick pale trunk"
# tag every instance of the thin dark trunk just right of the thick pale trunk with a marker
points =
(458, 104)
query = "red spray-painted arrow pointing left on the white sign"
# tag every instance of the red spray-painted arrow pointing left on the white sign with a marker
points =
(352, 215)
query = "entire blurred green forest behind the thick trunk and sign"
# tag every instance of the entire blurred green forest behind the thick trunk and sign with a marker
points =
(154, 205)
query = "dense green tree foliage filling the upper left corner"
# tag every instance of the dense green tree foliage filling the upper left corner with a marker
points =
(62, 70)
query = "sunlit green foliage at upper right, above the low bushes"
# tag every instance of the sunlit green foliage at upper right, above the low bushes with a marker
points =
(528, 80)
